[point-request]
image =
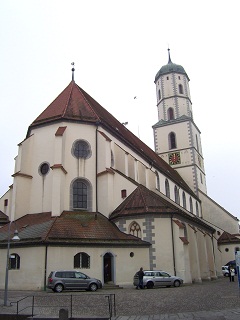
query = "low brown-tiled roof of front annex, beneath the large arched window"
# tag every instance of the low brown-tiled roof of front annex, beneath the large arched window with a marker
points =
(69, 228)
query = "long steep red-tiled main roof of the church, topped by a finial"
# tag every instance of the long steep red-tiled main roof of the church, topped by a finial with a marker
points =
(74, 104)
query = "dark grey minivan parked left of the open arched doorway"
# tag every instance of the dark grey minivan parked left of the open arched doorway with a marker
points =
(72, 280)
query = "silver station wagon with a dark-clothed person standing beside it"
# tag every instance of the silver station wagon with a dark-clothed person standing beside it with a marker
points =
(158, 278)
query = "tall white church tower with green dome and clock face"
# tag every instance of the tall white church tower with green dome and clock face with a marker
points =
(176, 137)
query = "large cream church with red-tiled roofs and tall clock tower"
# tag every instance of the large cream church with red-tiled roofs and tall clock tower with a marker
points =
(88, 194)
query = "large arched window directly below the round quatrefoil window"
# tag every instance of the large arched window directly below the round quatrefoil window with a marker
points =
(81, 198)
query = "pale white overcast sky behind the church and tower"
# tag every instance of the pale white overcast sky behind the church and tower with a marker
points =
(118, 47)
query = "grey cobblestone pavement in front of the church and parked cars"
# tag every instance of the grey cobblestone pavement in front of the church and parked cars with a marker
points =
(218, 299)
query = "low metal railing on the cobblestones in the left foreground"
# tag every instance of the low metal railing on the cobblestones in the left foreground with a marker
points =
(82, 305)
